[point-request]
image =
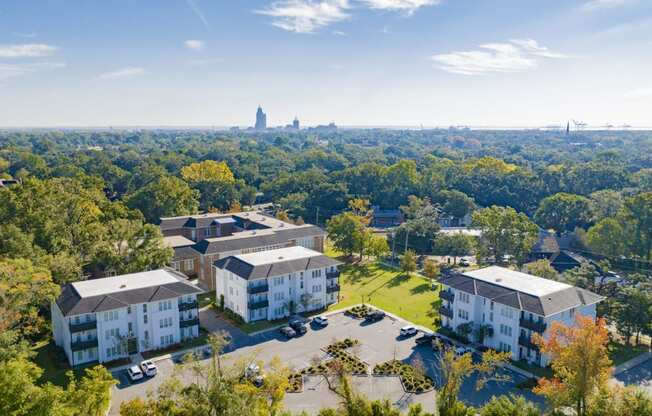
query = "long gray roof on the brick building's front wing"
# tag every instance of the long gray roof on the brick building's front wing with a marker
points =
(249, 239)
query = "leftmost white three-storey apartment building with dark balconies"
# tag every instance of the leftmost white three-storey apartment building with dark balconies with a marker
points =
(107, 319)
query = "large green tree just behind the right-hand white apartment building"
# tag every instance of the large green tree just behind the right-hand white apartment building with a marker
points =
(505, 232)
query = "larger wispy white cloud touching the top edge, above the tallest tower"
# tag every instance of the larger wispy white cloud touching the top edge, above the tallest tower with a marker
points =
(306, 16)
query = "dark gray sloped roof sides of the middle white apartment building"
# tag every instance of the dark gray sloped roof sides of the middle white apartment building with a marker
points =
(249, 271)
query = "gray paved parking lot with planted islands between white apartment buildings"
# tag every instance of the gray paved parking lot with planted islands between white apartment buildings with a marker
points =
(379, 343)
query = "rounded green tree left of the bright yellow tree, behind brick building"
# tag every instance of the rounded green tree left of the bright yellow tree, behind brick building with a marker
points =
(166, 196)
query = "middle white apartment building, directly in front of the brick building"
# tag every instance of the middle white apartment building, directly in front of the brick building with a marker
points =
(273, 284)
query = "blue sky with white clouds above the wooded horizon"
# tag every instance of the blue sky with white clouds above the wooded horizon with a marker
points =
(352, 62)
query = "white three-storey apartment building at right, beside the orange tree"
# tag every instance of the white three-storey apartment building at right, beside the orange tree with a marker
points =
(509, 306)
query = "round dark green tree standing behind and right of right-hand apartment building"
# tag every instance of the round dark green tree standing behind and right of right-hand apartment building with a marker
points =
(564, 212)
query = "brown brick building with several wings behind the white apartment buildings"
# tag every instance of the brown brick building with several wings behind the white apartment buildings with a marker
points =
(218, 236)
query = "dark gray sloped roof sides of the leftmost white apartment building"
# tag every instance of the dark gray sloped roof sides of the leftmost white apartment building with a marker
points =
(71, 302)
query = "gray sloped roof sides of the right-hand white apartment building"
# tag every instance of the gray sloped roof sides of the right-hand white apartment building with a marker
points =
(545, 305)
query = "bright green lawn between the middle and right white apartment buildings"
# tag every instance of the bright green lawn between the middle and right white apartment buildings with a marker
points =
(408, 297)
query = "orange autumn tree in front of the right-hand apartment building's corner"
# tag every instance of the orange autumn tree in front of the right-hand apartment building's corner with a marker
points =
(579, 360)
